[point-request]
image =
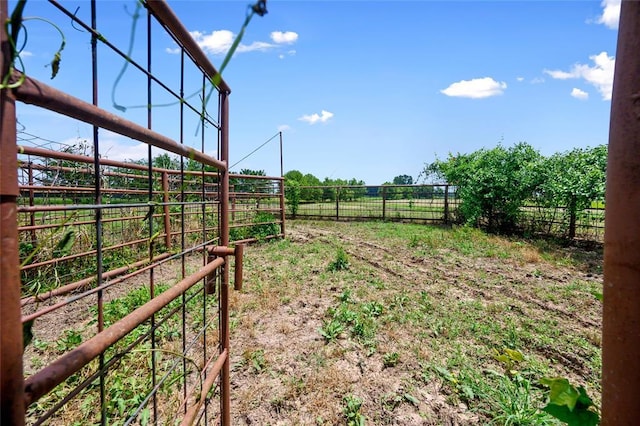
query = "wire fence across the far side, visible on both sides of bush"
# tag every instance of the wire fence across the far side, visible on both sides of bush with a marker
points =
(435, 204)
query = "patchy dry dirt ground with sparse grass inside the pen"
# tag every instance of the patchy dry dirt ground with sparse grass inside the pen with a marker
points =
(284, 372)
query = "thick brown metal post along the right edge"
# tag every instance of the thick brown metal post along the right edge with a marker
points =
(621, 313)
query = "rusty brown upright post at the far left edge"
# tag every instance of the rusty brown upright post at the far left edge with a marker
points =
(11, 381)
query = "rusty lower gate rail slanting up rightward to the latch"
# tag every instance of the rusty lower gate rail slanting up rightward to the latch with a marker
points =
(55, 373)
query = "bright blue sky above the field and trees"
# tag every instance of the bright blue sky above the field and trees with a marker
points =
(370, 89)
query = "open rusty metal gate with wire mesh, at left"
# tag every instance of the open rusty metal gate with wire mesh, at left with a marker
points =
(115, 275)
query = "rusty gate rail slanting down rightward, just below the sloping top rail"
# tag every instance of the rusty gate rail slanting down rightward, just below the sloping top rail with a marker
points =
(37, 93)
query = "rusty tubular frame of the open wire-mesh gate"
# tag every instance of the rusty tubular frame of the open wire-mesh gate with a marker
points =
(17, 393)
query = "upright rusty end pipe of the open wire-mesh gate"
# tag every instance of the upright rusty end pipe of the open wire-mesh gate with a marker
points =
(225, 388)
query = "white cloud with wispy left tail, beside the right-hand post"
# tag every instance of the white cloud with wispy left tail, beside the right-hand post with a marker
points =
(599, 75)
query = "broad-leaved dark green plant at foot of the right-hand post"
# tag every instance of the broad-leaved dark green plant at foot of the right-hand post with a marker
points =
(569, 404)
